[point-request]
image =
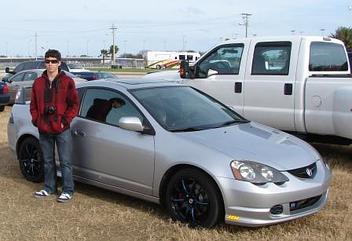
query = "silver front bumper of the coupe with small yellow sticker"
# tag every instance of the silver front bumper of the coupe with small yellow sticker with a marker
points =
(247, 204)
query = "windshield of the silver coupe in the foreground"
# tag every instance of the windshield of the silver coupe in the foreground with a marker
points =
(182, 108)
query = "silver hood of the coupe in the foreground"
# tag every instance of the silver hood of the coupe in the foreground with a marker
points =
(256, 142)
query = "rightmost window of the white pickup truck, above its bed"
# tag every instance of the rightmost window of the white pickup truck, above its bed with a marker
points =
(327, 57)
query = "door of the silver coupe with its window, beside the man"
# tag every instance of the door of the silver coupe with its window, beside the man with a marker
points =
(107, 153)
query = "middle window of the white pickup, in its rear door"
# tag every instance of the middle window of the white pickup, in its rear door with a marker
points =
(271, 58)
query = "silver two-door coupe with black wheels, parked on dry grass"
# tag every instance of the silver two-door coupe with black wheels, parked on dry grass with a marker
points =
(174, 145)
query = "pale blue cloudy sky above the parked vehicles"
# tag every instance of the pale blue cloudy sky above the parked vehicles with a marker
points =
(79, 27)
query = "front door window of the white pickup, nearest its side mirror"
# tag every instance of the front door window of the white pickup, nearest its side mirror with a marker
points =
(225, 59)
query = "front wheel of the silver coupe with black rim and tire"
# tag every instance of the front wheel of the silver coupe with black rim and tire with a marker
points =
(192, 197)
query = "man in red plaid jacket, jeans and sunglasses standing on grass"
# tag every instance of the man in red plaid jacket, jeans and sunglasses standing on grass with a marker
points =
(54, 103)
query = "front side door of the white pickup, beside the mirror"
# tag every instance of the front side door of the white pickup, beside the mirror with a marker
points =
(219, 74)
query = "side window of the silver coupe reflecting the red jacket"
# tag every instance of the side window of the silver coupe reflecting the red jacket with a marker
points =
(107, 106)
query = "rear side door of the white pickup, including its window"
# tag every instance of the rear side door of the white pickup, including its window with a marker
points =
(269, 86)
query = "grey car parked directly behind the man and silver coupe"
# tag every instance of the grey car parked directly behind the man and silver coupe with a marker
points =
(26, 78)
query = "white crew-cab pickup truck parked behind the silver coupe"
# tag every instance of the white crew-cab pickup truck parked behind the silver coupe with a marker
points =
(299, 84)
